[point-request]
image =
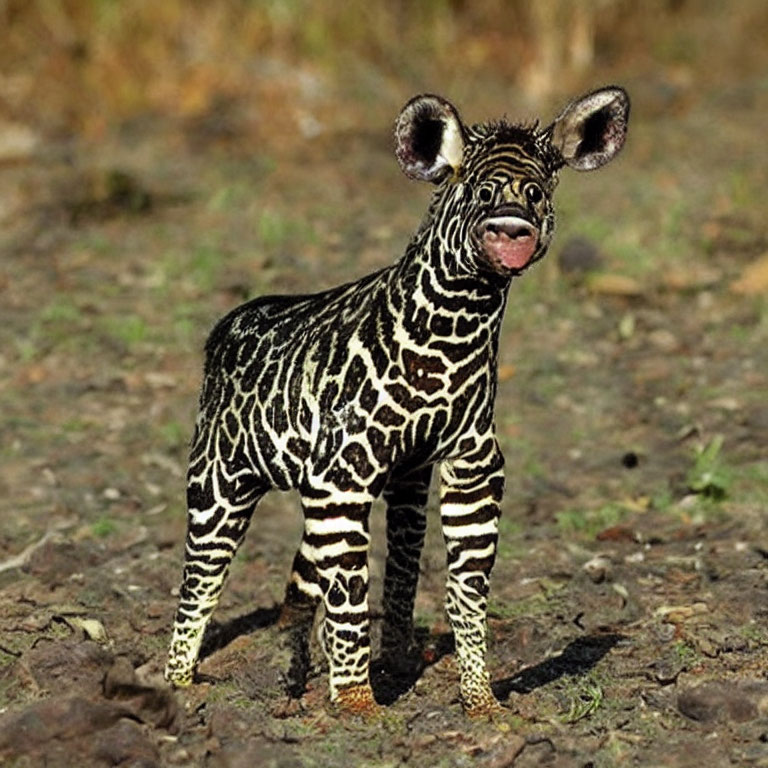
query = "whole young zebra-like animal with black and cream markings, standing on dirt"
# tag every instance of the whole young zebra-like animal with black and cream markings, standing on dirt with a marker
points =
(359, 391)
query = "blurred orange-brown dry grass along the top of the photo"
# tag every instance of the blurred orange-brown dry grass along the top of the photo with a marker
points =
(86, 66)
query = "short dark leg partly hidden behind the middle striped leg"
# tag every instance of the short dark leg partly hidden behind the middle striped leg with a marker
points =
(302, 596)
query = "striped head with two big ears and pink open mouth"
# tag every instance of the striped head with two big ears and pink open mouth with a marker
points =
(492, 210)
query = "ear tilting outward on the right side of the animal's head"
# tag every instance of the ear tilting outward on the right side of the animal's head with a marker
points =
(591, 130)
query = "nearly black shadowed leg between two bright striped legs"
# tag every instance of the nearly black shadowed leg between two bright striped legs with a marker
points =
(406, 499)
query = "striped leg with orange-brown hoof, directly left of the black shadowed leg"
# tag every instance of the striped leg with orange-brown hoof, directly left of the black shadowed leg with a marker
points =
(336, 540)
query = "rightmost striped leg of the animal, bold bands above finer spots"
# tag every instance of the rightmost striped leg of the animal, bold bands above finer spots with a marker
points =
(471, 490)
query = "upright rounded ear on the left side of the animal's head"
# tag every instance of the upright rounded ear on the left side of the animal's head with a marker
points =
(429, 139)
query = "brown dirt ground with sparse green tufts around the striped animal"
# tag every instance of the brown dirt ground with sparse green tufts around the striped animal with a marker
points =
(629, 607)
